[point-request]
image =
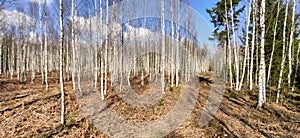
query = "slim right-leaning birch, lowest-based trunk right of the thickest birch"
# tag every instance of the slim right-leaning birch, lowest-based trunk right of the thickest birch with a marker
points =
(283, 52)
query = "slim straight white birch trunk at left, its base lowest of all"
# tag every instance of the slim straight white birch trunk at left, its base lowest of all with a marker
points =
(61, 62)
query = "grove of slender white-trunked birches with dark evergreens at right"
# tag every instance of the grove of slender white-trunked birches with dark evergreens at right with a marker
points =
(101, 42)
